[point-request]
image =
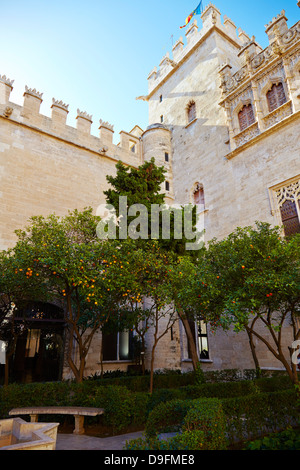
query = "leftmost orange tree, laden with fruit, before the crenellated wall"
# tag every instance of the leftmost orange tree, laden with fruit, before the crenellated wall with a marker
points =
(65, 255)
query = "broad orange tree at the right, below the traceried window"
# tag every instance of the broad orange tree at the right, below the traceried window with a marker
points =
(250, 281)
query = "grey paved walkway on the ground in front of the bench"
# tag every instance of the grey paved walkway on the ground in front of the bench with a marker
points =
(76, 442)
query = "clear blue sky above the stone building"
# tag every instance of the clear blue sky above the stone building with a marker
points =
(95, 55)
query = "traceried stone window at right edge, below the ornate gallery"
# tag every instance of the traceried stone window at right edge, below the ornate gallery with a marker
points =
(288, 199)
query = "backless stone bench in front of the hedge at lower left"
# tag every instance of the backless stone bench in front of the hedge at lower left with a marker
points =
(77, 411)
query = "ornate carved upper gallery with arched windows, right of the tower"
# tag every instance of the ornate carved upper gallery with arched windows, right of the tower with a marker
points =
(266, 89)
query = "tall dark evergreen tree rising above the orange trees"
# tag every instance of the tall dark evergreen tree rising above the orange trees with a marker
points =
(143, 186)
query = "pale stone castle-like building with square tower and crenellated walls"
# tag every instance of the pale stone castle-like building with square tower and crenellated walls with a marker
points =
(224, 120)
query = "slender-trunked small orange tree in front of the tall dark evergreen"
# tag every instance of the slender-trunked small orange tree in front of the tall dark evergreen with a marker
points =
(141, 275)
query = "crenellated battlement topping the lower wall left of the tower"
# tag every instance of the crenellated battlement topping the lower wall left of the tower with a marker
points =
(127, 150)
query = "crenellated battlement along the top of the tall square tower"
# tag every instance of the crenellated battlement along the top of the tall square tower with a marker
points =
(211, 19)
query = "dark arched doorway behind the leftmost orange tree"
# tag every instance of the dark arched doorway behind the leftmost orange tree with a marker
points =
(39, 349)
